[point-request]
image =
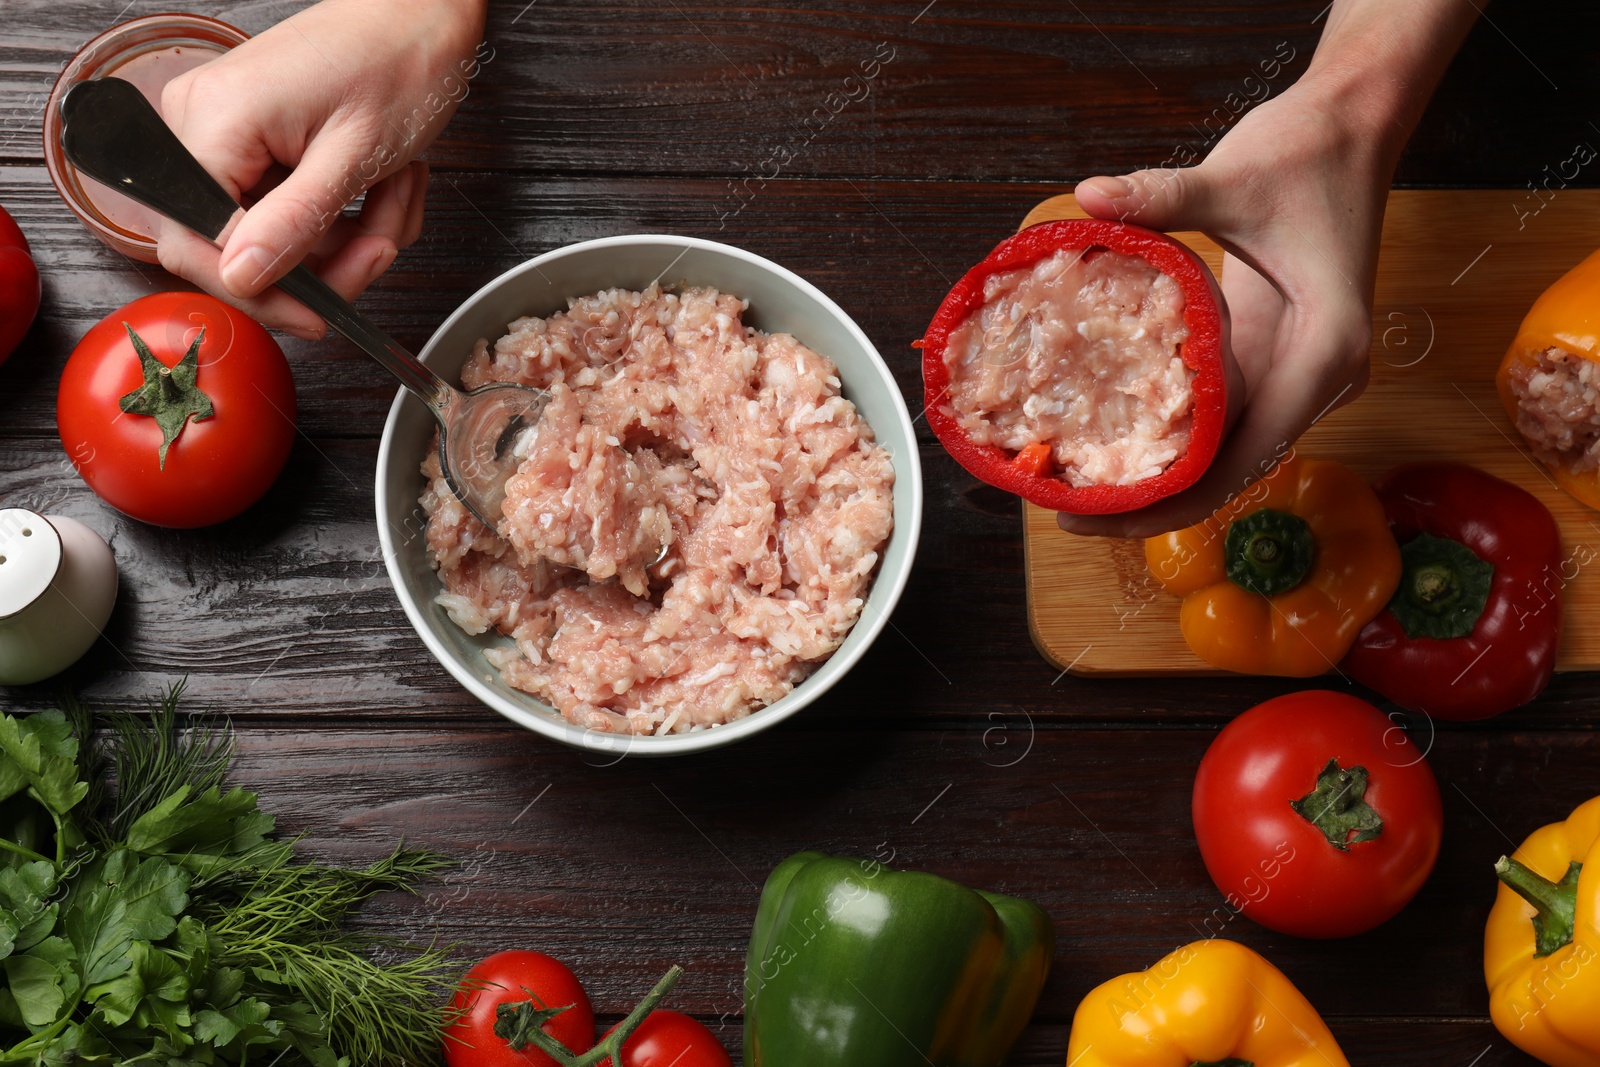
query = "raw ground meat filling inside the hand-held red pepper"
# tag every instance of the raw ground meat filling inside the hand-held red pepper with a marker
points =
(1082, 353)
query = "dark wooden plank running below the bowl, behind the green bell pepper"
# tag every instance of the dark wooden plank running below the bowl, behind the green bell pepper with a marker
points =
(623, 869)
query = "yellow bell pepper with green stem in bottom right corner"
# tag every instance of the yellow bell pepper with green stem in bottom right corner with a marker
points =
(1542, 948)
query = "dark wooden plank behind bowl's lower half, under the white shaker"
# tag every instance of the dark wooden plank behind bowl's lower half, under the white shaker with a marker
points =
(287, 610)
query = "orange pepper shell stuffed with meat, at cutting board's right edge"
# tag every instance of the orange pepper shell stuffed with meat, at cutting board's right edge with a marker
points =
(1566, 318)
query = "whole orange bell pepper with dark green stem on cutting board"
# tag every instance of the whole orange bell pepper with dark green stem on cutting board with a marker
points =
(1284, 577)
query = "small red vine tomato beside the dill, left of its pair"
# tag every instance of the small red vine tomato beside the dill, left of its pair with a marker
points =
(510, 978)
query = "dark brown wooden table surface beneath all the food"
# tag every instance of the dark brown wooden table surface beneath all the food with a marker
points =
(953, 743)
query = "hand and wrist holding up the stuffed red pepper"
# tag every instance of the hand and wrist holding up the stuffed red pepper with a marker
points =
(1295, 194)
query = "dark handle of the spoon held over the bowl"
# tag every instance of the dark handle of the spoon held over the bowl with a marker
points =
(113, 135)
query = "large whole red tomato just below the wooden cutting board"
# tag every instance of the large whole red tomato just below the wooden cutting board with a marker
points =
(1378, 799)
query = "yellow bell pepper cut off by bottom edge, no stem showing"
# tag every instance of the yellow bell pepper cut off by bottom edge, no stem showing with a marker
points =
(1212, 1004)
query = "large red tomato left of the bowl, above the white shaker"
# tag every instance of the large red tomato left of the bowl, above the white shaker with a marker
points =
(217, 466)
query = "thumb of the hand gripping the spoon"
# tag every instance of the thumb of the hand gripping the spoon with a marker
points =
(287, 223)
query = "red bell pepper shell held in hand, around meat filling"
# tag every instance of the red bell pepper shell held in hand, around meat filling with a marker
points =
(1206, 353)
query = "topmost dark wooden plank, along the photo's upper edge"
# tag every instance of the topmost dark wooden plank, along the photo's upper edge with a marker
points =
(1018, 90)
